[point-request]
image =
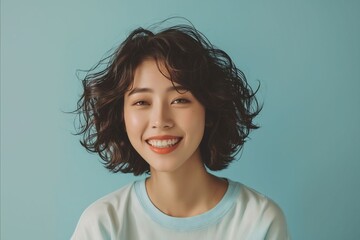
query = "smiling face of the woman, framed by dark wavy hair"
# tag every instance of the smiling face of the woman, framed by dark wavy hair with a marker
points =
(164, 126)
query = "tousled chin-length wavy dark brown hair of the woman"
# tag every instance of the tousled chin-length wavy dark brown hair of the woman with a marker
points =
(191, 61)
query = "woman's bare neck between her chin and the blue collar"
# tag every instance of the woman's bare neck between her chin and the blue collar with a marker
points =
(185, 193)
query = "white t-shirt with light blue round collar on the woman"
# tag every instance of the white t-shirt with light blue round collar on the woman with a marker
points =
(128, 214)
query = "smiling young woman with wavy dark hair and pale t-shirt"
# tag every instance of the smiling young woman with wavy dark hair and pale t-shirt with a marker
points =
(171, 105)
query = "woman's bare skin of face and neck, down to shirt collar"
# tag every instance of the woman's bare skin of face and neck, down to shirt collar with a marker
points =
(179, 184)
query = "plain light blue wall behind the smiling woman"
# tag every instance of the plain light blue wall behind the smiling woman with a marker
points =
(306, 156)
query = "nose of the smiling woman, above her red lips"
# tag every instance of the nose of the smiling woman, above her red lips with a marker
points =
(161, 116)
